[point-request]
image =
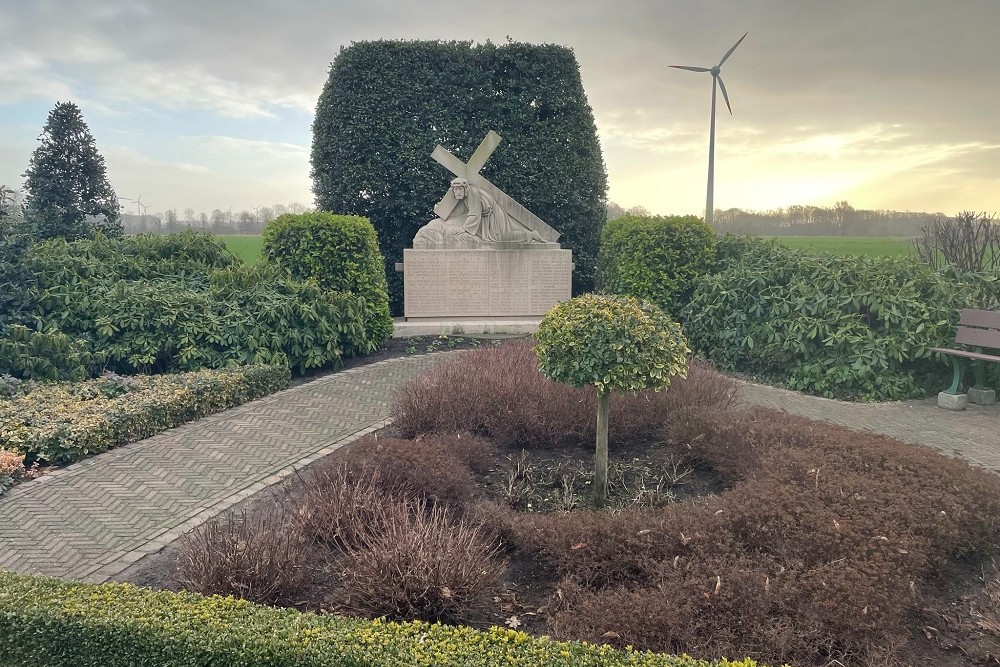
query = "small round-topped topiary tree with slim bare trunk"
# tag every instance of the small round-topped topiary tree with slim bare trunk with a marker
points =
(614, 343)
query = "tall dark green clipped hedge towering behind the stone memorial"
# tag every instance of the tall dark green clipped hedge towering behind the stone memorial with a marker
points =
(386, 104)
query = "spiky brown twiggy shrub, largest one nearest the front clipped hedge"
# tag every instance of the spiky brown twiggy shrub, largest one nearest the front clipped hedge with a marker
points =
(422, 564)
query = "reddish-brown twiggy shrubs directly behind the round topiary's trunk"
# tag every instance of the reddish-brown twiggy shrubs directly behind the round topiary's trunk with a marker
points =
(498, 392)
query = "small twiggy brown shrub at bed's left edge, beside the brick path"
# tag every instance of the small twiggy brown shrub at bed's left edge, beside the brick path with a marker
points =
(342, 501)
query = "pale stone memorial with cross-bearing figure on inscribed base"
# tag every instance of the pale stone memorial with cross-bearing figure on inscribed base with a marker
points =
(485, 264)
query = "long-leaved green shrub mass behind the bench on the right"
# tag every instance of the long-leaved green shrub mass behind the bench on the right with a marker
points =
(834, 326)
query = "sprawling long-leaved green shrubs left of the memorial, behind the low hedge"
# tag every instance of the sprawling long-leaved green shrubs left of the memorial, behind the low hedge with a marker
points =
(153, 304)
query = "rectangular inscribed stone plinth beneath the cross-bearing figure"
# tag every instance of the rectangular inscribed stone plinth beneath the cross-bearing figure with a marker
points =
(521, 282)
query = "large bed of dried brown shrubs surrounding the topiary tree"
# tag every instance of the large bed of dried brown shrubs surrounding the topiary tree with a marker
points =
(731, 532)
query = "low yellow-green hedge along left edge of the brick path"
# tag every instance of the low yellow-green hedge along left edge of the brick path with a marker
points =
(64, 422)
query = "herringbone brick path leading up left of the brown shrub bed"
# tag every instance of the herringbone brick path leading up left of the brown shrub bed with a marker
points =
(93, 519)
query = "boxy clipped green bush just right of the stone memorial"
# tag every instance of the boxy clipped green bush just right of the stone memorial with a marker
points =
(655, 258)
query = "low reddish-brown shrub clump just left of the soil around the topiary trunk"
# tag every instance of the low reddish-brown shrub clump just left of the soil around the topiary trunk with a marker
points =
(435, 467)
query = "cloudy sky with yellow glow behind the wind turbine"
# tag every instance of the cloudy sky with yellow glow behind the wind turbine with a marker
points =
(208, 104)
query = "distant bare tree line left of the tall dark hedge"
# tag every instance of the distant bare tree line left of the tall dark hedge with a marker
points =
(217, 222)
